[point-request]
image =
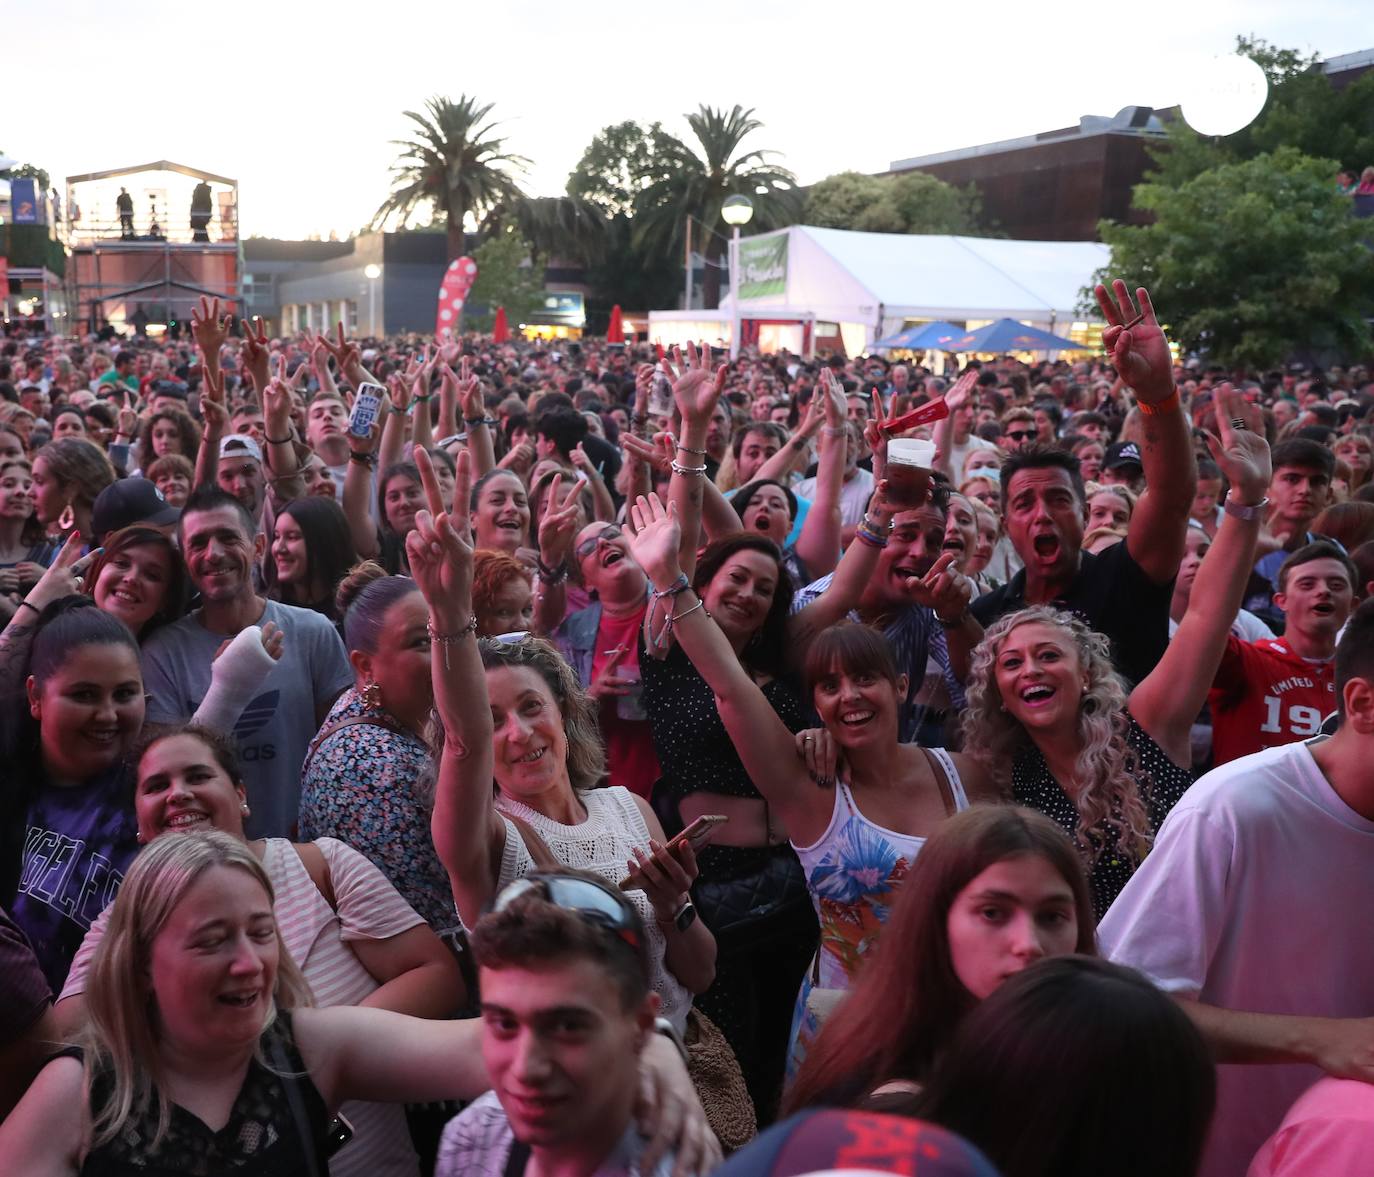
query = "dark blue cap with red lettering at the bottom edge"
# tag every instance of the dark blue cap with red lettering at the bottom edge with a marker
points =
(835, 1139)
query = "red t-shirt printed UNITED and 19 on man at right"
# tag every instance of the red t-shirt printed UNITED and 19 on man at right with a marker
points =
(1266, 696)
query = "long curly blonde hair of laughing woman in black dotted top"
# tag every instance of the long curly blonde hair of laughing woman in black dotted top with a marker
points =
(1110, 773)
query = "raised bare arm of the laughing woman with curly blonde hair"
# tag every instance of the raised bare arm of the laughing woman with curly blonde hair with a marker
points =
(1170, 698)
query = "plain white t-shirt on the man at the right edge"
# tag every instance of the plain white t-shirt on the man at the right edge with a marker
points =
(1257, 898)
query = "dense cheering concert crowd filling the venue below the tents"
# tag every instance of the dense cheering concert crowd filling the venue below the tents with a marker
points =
(605, 753)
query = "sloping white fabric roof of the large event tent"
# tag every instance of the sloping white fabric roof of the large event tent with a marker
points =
(965, 278)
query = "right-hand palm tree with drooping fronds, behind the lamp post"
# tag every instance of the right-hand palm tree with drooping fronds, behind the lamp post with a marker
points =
(703, 179)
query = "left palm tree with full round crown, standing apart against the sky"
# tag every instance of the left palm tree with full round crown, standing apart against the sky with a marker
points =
(454, 164)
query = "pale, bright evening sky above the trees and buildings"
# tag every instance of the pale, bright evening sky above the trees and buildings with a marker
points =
(299, 102)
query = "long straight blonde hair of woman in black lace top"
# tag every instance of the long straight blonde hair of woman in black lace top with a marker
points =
(122, 1036)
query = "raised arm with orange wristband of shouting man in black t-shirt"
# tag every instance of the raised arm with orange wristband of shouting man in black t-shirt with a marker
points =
(1142, 356)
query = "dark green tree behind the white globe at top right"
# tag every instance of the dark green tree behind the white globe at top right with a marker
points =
(1305, 112)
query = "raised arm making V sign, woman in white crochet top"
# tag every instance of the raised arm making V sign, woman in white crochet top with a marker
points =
(468, 833)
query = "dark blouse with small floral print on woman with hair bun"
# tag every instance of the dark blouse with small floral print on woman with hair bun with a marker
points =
(363, 788)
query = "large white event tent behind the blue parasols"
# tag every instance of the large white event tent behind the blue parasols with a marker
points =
(806, 282)
